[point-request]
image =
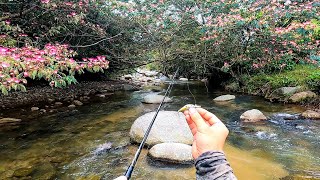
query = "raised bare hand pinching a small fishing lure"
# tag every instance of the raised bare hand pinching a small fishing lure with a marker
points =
(209, 133)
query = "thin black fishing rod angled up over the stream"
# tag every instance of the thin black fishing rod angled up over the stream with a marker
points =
(136, 156)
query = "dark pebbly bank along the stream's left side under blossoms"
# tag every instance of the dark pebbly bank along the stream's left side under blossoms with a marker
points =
(45, 95)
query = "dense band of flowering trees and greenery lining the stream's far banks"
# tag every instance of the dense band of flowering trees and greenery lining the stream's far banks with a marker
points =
(242, 39)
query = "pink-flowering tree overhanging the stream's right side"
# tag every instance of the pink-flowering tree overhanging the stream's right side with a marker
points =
(235, 37)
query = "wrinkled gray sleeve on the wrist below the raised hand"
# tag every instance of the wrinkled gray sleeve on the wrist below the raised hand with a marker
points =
(213, 165)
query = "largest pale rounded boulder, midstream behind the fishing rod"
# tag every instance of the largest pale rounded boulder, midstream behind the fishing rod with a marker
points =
(169, 126)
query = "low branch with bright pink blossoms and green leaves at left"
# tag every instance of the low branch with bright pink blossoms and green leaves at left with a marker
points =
(53, 63)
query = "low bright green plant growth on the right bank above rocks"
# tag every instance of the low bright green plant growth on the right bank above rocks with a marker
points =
(307, 76)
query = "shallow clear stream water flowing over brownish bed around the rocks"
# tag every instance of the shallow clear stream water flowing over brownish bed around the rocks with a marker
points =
(93, 142)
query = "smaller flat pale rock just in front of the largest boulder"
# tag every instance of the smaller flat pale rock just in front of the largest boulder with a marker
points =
(172, 152)
